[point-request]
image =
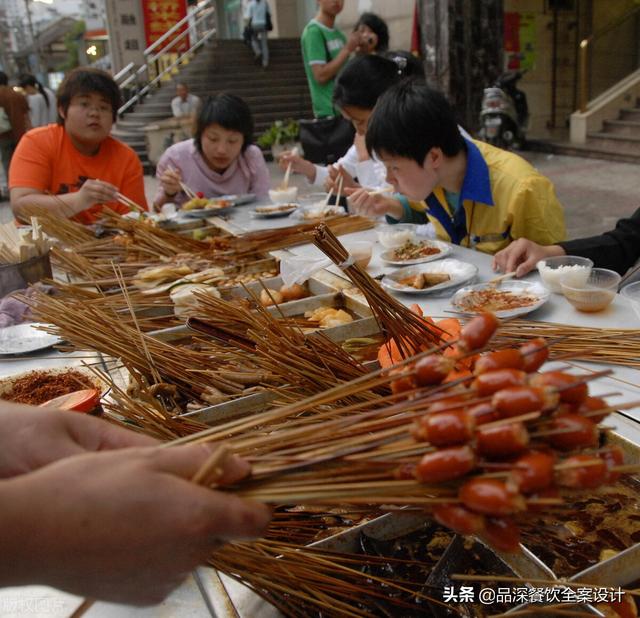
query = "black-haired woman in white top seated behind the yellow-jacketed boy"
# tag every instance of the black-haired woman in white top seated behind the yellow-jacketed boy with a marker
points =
(356, 91)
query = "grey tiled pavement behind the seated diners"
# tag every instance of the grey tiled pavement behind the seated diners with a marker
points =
(594, 192)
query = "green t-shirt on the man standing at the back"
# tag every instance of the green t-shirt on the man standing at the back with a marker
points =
(314, 51)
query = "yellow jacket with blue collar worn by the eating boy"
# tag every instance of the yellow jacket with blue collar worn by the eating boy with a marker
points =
(503, 198)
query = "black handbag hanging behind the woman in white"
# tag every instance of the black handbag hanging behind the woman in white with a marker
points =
(325, 140)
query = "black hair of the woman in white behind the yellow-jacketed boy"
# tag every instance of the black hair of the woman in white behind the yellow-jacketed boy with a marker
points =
(364, 78)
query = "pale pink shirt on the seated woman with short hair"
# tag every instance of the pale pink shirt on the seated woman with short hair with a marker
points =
(247, 174)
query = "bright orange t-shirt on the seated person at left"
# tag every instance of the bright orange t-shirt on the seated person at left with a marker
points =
(46, 160)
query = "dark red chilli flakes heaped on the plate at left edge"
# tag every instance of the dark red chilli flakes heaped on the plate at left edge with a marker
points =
(37, 387)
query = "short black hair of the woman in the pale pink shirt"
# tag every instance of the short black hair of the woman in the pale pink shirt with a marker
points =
(230, 112)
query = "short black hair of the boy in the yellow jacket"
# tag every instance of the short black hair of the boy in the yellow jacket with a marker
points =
(410, 119)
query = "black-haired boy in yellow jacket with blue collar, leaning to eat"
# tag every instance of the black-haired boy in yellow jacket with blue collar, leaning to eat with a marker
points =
(475, 195)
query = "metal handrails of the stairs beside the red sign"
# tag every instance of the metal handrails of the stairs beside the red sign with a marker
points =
(203, 11)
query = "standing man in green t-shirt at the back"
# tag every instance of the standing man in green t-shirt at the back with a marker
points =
(324, 51)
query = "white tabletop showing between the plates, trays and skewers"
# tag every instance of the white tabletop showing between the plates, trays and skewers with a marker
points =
(186, 601)
